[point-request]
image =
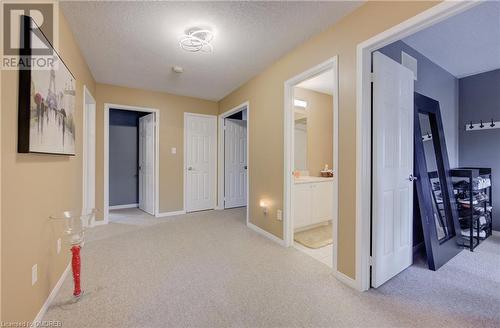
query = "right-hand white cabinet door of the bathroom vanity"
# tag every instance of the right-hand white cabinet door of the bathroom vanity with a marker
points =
(322, 202)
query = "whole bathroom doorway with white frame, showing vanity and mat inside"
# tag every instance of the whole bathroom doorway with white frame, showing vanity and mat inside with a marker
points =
(311, 162)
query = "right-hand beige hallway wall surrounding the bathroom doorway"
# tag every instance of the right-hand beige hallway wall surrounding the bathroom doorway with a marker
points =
(265, 94)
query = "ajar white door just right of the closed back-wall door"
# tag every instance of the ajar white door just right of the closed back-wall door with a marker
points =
(235, 163)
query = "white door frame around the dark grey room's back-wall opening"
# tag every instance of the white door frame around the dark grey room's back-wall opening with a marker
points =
(156, 112)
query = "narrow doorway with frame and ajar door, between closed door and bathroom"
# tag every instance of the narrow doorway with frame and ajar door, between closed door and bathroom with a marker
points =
(233, 189)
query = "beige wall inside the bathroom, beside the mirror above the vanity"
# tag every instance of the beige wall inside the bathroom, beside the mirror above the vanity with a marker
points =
(319, 129)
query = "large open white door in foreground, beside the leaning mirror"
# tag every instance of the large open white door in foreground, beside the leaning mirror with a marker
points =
(392, 193)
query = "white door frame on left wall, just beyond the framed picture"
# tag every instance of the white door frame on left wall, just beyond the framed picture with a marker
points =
(88, 99)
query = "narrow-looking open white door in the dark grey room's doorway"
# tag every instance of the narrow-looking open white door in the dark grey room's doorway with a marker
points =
(147, 128)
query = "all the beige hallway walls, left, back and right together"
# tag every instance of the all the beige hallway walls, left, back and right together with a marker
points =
(34, 186)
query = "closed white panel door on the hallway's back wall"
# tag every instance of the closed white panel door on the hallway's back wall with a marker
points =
(200, 161)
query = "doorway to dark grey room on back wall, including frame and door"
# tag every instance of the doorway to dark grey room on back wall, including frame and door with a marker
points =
(131, 145)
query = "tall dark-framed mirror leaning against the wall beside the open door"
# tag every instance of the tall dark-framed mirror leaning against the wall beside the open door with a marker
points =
(436, 202)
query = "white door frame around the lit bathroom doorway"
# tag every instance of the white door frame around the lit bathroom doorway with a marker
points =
(330, 64)
